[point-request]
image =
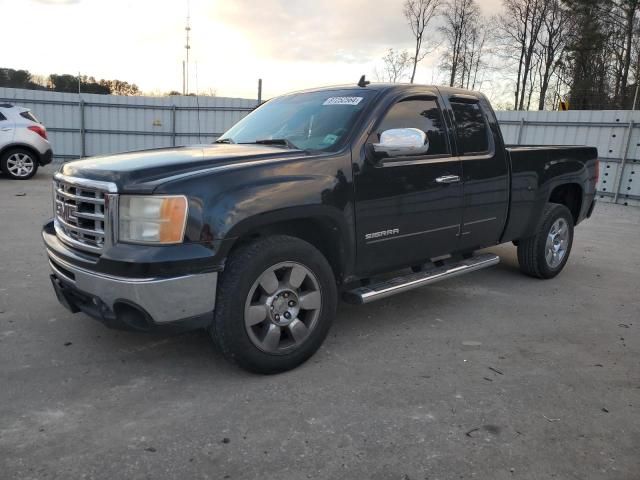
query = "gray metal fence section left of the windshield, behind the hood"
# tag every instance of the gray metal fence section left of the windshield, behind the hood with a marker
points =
(89, 124)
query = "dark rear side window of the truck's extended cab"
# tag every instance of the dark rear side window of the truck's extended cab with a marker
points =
(472, 132)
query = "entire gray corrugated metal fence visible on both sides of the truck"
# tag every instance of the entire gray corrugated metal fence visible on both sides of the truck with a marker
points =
(100, 124)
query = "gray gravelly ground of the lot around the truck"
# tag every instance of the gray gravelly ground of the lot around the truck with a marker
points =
(491, 376)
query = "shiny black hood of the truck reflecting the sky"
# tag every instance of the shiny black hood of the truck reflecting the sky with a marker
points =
(144, 170)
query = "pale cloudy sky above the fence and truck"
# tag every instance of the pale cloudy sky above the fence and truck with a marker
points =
(290, 44)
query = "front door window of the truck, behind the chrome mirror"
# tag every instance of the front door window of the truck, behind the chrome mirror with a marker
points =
(421, 113)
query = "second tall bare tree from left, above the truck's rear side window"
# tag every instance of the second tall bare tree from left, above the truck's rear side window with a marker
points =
(457, 29)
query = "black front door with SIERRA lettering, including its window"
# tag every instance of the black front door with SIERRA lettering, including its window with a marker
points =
(409, 208)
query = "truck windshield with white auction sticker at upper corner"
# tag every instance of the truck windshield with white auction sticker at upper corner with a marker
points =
(308, 121)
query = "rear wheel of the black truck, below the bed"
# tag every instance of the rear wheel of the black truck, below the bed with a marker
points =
(545, 254)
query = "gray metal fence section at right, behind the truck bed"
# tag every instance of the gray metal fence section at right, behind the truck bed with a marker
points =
(616, 134)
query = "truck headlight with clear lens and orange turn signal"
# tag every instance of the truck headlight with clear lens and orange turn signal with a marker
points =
(152, 219)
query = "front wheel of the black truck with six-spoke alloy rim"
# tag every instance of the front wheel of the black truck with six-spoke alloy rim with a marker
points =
(257, 290)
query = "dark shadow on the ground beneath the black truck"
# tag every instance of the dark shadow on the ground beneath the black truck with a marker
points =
(198, 357)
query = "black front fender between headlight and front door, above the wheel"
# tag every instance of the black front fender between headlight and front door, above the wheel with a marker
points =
(226, 205)
